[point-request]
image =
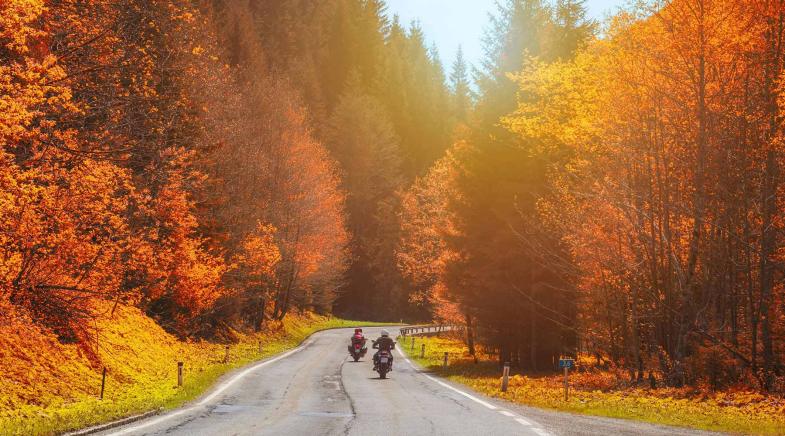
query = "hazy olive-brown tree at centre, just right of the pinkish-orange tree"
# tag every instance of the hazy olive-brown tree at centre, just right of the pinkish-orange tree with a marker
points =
(363, 141)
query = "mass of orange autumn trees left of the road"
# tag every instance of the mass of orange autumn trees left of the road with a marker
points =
(105, 171)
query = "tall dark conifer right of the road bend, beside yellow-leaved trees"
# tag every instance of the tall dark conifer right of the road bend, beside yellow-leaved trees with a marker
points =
(502, 271)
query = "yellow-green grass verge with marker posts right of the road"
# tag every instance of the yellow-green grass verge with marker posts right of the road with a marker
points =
(740, 412)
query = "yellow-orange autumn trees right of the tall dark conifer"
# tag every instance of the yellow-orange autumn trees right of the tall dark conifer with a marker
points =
(657, 187)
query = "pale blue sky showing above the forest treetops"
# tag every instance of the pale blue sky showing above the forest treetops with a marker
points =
(453, 23)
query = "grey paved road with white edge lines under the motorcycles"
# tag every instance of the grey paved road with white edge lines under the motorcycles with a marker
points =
(317, 390)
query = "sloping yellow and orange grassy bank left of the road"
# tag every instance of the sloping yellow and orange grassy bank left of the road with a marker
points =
(50, 388)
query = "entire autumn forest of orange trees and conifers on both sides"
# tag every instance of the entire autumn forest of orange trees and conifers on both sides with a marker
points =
(609, 189)
